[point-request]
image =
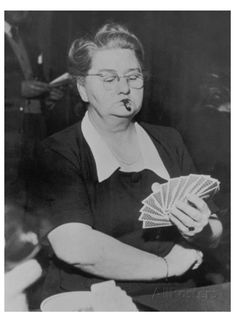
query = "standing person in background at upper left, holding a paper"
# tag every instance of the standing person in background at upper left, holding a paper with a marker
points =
(27, 95)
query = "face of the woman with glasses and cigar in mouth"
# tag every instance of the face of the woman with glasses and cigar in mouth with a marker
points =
(105, 99)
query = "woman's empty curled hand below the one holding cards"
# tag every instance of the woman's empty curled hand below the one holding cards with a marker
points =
(181, 259)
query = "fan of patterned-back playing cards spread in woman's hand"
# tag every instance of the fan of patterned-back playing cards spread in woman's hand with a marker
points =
(156, 207)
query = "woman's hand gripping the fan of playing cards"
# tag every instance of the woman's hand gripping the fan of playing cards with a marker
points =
(190, 219)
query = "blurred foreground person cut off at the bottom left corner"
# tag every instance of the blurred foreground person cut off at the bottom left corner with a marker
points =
(21, 267)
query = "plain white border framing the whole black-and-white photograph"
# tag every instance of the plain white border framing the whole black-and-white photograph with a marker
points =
(118, 5)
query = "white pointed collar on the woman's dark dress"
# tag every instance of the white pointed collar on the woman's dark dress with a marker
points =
(107, 164)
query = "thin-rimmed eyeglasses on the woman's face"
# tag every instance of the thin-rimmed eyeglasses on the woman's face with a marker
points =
(110, 80)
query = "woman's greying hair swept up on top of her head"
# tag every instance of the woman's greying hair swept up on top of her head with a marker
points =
(110, 36)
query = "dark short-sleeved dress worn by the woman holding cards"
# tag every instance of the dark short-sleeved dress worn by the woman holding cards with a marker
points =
(69, 191)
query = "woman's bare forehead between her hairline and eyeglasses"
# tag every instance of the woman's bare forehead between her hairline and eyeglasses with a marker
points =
(114, 59)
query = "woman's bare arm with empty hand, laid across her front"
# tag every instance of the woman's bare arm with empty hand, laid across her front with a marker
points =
(102, 255)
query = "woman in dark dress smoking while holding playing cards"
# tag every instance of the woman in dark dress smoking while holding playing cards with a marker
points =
(95, 174)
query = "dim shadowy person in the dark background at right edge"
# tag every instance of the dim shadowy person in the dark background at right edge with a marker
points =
(207, 132)
